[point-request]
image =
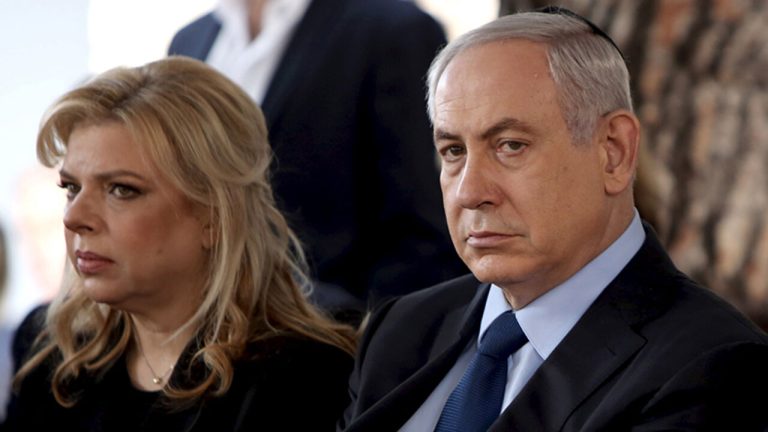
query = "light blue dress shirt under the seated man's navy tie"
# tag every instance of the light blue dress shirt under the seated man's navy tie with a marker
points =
(545, 322)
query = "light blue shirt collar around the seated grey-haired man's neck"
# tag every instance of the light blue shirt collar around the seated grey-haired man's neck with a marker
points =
(547, 319)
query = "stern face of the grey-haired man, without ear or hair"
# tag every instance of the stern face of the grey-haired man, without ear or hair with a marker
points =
(526, 207)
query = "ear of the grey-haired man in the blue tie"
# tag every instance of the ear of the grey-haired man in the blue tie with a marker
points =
(619, 140)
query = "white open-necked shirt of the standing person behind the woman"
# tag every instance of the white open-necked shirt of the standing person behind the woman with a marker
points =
(251, 63)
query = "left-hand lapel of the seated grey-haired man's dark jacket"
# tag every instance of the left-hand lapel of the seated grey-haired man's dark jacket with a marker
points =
(459, 328)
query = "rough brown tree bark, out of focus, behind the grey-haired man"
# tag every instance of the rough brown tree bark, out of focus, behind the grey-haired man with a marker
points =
(700, 88)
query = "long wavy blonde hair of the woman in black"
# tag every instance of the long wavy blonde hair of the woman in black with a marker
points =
(210, 140)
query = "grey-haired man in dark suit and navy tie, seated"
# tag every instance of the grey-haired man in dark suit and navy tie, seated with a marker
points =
(534, 124)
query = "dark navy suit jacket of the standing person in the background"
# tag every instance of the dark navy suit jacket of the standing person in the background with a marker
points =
(356, 172)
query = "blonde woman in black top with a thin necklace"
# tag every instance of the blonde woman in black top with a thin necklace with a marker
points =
(184, 307)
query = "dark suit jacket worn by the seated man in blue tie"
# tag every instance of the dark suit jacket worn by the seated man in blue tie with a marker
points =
(654, 351)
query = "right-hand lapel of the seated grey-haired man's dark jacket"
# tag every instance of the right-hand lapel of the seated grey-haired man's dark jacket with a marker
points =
(600, 344)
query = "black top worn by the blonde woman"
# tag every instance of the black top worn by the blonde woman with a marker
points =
(286, 383)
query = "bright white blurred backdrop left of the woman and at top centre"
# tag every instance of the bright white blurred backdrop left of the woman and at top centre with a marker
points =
(49, 46)
